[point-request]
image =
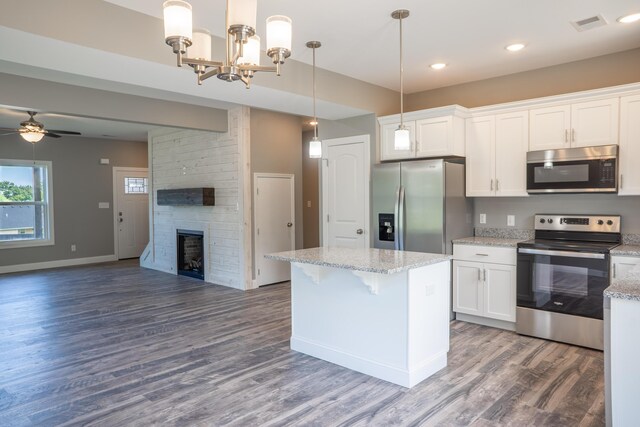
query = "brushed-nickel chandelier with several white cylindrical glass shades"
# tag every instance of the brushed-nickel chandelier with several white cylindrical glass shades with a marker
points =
(243, 46)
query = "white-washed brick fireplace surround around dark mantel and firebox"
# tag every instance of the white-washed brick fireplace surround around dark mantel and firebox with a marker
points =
(188, 159)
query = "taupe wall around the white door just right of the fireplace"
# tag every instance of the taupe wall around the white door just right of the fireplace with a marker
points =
(276, 147)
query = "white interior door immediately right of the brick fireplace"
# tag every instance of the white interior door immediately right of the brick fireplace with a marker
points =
(275, 230)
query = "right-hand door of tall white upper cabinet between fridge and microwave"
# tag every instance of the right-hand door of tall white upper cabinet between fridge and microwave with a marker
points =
(512, 142)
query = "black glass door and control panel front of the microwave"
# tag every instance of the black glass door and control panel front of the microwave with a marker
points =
(577, 176)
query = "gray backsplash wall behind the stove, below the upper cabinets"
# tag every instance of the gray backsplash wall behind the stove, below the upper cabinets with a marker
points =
(524, 208)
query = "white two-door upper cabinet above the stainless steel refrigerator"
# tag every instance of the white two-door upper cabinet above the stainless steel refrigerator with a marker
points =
(437, 132)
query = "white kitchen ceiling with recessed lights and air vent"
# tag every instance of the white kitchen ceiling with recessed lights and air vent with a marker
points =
(361, 40)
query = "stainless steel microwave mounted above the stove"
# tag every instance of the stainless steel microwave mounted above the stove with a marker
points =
(573, 170)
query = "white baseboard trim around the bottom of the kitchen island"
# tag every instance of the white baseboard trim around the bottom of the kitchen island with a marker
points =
(400, 376)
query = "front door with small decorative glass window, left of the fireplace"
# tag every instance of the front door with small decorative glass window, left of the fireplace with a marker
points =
(131, 210)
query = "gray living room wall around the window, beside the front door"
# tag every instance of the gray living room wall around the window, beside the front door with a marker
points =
(79, 183)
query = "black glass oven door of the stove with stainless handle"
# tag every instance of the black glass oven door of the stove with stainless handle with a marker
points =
(562, 281)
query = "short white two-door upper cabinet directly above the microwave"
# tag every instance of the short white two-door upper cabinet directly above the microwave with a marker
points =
(582, 124)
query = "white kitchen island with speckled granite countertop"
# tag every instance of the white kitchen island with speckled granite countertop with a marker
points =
(384, 313)
